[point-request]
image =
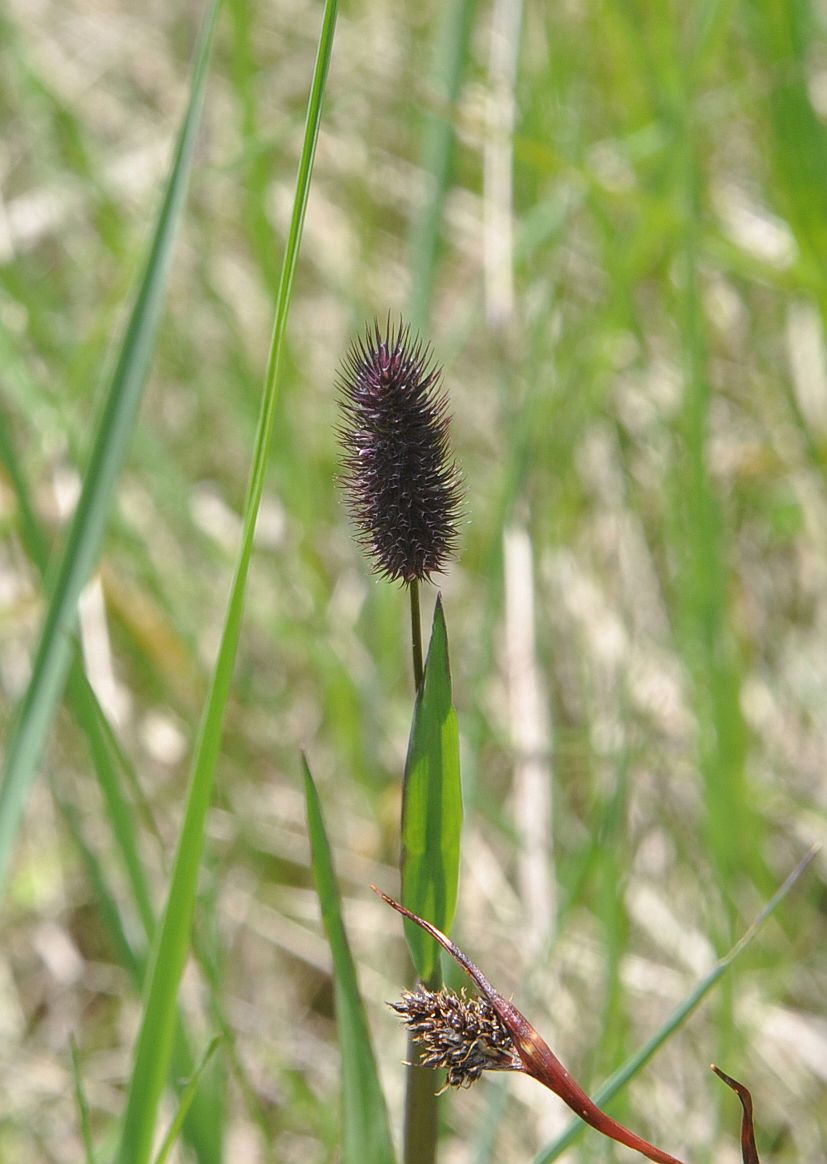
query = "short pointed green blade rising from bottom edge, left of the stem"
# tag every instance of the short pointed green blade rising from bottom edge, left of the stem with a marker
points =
(366, 1135)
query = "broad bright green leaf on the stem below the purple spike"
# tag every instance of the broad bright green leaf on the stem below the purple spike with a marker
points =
(433, 806)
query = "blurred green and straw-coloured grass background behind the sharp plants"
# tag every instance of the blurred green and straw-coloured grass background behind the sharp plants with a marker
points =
(611, 219)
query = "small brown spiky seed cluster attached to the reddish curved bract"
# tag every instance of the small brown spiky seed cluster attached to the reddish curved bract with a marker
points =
(458, 1033)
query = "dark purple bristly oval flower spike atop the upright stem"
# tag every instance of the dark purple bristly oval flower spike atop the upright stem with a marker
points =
(402, 485)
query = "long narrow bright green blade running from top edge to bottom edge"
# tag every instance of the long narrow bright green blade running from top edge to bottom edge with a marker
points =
(169, 957)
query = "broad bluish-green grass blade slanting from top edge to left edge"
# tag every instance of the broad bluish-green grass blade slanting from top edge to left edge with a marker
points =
(86, 536)
